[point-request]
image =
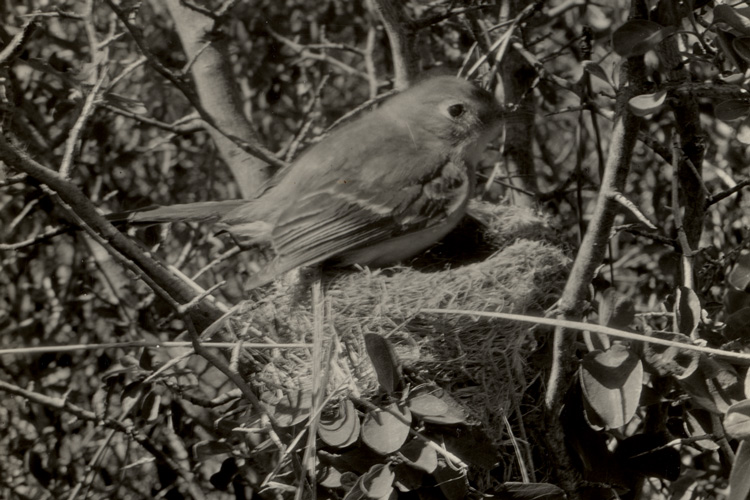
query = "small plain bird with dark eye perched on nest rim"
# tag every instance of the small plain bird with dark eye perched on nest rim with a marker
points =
(376, 191)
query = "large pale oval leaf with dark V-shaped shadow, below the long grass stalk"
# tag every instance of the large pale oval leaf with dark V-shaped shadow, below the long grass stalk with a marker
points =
(611, 382)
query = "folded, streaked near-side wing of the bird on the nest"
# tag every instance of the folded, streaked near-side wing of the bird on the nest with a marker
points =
(329, 222)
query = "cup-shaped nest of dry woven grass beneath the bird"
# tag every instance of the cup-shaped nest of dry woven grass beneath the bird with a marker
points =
(511, 264)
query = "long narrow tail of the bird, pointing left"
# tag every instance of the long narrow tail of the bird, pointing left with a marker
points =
(205, 211)
